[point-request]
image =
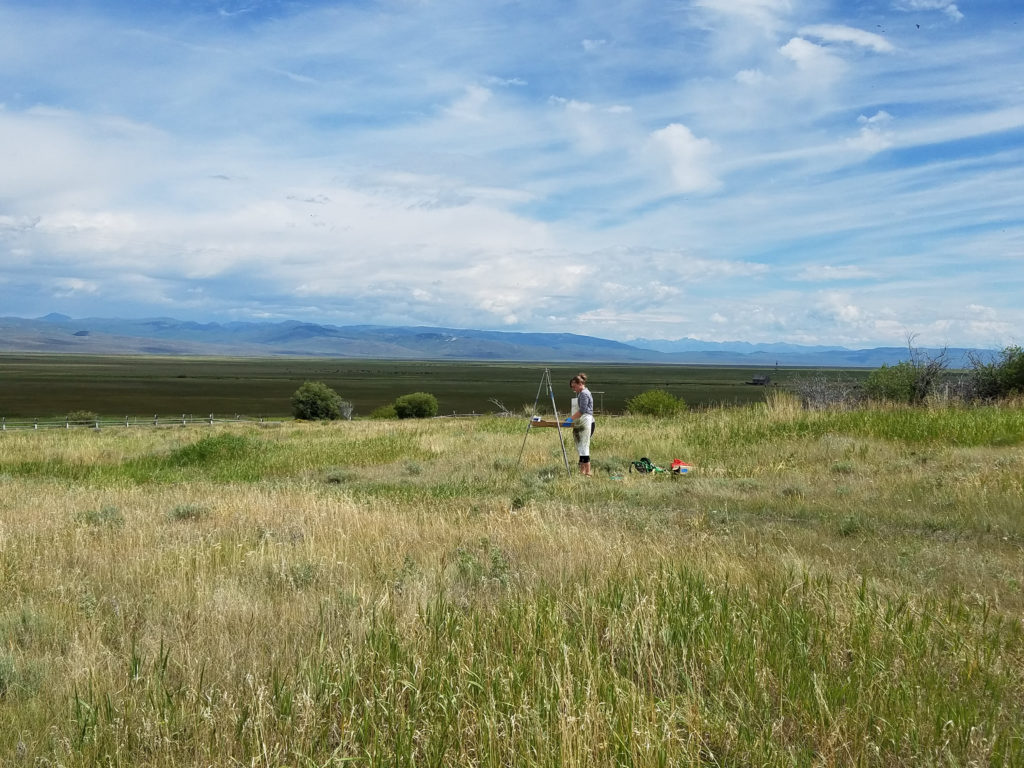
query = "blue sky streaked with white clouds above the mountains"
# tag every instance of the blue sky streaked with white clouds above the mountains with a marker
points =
(843, 173)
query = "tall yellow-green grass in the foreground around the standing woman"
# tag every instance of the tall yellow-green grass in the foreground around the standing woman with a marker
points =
(826, 589)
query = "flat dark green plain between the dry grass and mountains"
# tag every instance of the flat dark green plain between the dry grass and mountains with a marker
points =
(41, 387)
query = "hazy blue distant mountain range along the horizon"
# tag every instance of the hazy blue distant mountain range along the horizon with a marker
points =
(59, 333)
